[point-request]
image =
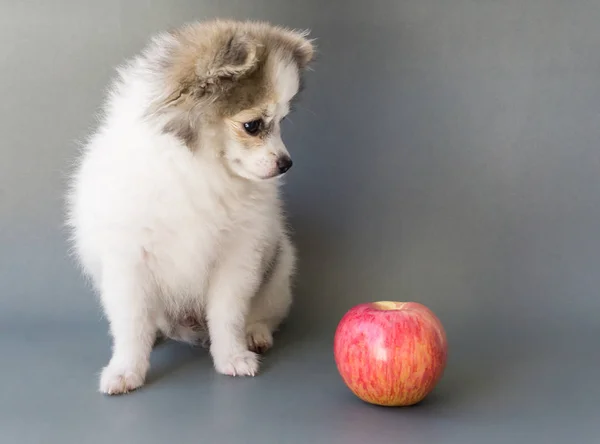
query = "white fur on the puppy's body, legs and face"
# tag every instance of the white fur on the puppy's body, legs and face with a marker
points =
(163, 231)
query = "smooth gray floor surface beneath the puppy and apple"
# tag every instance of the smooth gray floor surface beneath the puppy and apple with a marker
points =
(521, 389)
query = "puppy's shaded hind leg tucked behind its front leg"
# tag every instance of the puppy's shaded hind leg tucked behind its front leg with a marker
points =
(273, 301)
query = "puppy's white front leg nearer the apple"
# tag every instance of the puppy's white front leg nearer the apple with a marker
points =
(232, 287)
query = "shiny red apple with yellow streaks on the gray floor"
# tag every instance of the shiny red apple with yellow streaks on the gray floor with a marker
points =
(390, 353)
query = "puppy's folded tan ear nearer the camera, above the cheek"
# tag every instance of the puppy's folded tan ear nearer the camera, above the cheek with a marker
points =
(232, 57)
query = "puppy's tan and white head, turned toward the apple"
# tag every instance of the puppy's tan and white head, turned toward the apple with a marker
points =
(226, 86)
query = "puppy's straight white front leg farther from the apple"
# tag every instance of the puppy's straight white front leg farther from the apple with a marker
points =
(125, 300)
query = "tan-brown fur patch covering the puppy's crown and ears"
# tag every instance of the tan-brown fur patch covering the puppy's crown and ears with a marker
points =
(227, 69)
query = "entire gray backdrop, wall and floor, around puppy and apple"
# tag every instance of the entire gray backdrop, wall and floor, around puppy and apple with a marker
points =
(445, 152)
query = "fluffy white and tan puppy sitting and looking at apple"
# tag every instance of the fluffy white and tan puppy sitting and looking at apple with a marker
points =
(174, 207)
